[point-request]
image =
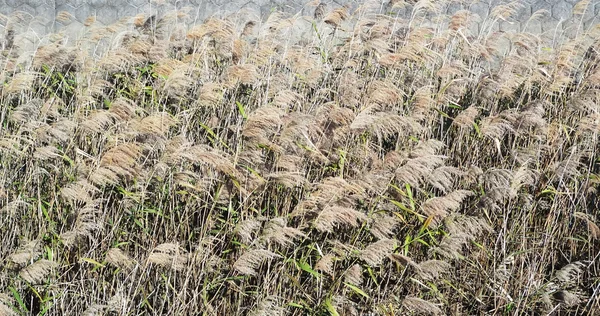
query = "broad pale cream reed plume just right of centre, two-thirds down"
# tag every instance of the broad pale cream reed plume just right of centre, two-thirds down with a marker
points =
(333, 216)
